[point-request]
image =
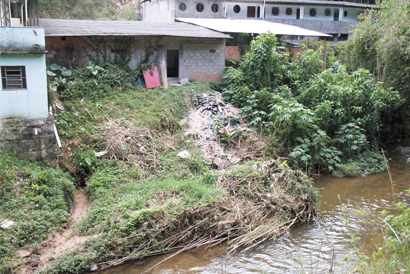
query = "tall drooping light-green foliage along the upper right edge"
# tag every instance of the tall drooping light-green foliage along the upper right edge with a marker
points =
(380, 44)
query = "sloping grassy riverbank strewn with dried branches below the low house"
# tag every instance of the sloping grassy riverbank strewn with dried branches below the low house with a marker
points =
(122, 149)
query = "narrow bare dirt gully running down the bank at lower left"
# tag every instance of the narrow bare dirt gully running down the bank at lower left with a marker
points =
(59, 242)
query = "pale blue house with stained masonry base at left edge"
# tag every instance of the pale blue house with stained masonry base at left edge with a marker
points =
(25, 127)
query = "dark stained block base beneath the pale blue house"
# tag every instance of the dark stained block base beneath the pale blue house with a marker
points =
(33, 139)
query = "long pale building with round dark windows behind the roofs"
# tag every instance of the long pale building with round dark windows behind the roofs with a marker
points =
(325, 16)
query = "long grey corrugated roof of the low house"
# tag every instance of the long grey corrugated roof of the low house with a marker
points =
(64, 27)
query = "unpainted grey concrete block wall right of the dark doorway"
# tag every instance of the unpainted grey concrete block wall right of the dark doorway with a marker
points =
(203, 61)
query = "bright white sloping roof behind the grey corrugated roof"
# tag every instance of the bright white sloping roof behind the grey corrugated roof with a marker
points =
(230, 25)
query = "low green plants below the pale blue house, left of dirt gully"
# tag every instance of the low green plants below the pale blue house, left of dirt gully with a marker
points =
(31, 195)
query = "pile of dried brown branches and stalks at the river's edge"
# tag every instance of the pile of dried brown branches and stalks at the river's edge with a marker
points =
(257, 207)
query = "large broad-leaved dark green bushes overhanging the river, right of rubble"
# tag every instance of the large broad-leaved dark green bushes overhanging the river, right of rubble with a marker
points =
(321, 118)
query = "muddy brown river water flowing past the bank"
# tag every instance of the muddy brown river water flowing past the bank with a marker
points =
(315, 247)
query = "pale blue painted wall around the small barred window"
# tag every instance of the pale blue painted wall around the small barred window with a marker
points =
(27, 103)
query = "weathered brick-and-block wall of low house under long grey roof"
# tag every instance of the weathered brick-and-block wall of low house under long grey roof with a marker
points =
(199, 59)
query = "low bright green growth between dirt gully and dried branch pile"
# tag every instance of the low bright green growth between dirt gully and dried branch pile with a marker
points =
(136, 203)
